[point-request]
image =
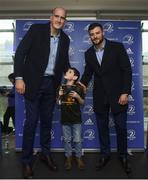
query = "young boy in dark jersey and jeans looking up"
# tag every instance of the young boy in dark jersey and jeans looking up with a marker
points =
(71, 96)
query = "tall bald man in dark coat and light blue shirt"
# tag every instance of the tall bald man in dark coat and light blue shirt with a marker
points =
(40, 60)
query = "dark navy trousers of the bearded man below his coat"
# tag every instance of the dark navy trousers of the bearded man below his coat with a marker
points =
(120, 120)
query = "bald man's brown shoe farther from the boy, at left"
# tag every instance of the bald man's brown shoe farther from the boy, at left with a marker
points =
(27, 171)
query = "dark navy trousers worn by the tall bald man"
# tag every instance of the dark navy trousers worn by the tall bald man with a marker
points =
(41, 108)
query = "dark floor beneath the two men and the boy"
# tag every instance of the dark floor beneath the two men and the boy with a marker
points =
(10, 166)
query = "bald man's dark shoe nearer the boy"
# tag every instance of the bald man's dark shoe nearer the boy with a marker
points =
(49, 162)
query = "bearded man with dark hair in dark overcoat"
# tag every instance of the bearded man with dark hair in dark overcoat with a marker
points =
(110, 65)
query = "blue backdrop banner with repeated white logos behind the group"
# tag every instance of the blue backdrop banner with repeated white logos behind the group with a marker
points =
(127, 32)
